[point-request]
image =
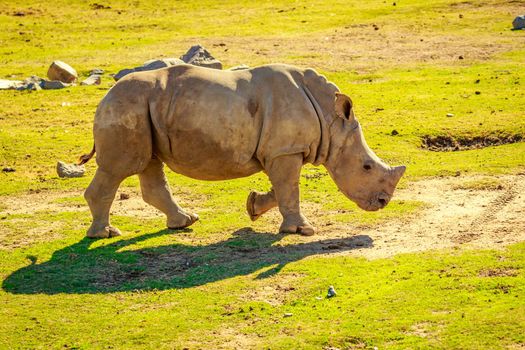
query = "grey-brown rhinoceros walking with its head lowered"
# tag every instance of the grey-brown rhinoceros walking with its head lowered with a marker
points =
(209, 124)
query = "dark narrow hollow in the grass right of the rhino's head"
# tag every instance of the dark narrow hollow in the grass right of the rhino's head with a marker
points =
(451, 143)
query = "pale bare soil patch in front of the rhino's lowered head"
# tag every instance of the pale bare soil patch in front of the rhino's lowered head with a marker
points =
(454, 217)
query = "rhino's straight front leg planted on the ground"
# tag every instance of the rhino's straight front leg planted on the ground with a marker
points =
(284, 175)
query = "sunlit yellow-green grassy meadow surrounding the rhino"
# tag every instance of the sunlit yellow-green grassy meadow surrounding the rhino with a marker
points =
(227, 282)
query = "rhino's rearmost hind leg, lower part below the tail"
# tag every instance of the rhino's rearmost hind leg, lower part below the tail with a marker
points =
(99, 195)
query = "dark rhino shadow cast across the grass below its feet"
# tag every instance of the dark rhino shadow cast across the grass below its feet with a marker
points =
(77, 269)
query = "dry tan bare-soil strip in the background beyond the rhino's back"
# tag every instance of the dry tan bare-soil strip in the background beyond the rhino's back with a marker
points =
(365, 47)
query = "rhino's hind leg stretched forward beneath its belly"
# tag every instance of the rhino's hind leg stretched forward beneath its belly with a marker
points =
(156, 191)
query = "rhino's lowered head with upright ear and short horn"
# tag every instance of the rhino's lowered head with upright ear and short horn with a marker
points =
(354, 167)
